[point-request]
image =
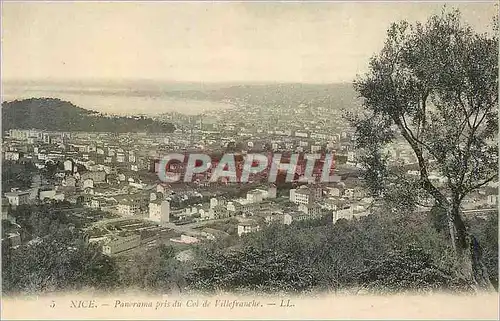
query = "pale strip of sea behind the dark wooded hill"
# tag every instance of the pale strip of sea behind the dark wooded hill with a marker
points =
(148, 98)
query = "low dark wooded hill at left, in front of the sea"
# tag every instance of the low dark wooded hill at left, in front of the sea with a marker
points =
(57, 115)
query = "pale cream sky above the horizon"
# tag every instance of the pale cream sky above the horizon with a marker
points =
(207, 42)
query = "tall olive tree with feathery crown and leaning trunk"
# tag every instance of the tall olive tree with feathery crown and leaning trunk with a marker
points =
(434, 88)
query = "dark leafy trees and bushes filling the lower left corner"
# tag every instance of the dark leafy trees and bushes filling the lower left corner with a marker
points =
(54, 255)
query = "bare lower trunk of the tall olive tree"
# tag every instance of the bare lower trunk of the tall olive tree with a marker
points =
(468, 251)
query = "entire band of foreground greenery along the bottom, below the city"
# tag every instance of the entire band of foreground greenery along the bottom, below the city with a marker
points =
(370, 252)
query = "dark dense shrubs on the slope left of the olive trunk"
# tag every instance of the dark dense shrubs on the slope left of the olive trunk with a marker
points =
(333, 257)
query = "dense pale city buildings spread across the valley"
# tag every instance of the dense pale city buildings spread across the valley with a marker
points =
(117, 174)
